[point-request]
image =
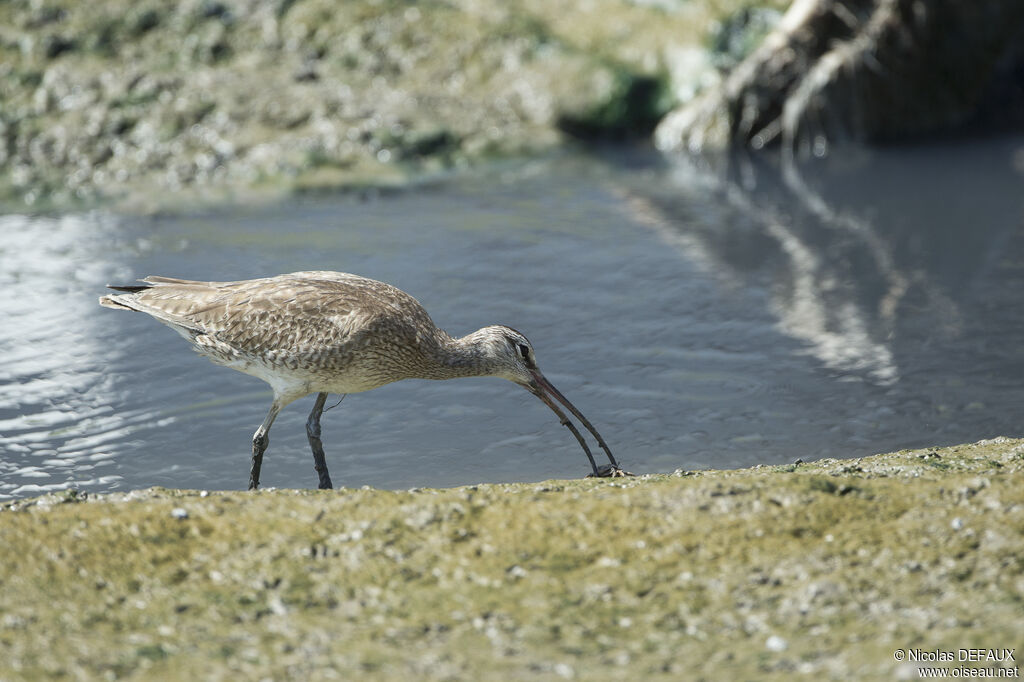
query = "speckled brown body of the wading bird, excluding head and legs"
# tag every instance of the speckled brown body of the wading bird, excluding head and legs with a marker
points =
(303, 332)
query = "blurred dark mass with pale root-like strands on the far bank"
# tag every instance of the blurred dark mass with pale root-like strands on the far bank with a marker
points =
(865, 71)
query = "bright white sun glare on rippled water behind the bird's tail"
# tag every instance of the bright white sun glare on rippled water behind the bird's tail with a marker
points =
(58, 428)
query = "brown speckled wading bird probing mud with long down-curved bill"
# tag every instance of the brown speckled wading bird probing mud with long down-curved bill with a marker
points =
(335, 333)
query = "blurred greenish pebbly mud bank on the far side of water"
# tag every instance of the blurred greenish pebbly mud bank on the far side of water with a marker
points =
(111, 99)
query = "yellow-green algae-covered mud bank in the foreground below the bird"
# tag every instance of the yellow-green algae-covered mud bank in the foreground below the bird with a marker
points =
(833, 570)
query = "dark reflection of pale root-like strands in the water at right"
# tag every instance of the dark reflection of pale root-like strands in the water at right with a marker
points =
(863, 259)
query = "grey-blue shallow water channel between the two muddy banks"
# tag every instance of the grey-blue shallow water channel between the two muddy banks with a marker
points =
(700, 318)
